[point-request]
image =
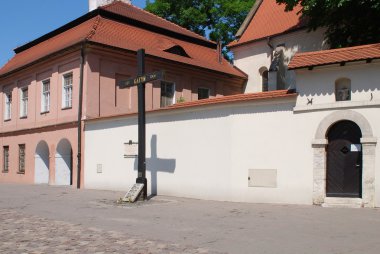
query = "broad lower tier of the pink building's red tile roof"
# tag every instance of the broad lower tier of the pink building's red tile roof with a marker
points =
(125, 36)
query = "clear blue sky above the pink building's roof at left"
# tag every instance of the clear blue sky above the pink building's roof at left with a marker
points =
(22, 21)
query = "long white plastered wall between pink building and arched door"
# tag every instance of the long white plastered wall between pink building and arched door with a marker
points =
(206, 153)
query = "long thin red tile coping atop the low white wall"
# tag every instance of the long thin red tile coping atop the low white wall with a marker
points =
(278, 94)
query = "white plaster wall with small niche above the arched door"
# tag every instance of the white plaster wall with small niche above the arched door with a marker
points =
(318, 85)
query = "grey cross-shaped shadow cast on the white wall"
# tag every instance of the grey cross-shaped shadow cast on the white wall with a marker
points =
(155, 165)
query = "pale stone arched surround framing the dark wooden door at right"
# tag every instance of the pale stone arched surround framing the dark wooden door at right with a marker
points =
(368, 147)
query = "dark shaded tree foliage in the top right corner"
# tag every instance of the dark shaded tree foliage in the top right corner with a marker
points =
(348, 22)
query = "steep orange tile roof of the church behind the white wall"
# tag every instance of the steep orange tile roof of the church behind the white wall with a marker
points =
(268, 20)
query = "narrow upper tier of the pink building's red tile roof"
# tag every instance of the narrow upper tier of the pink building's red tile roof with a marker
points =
(133, 12)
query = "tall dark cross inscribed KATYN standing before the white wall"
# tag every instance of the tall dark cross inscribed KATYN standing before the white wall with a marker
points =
(140, 81)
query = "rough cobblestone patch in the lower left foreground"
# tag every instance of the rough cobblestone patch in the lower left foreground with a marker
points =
(20, 233)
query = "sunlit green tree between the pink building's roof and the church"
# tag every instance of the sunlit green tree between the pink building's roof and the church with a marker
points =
(219, 20)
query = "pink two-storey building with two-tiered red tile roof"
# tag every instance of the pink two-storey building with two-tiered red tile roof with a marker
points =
(56, 82)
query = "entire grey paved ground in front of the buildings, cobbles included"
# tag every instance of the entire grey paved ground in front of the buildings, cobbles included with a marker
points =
(51, 219)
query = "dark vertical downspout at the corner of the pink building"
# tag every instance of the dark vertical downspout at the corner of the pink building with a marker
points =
(80, 111)
